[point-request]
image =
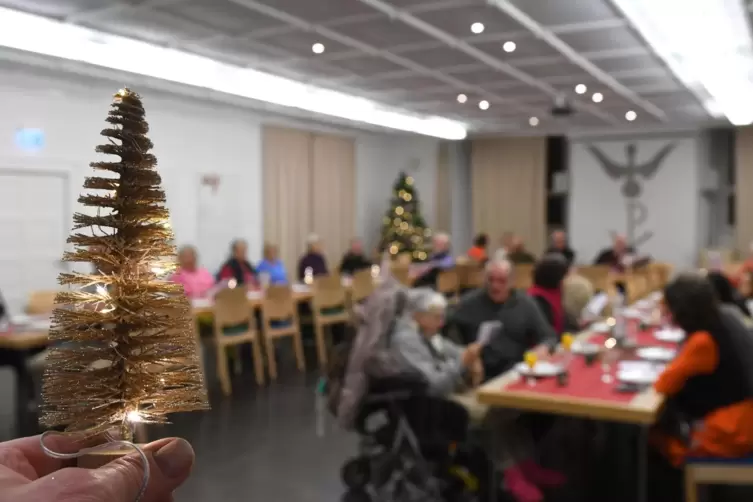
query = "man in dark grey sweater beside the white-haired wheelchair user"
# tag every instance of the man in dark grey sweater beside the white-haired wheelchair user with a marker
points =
(520, 324)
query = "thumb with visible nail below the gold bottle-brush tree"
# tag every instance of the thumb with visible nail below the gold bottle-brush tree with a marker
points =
(170, 463)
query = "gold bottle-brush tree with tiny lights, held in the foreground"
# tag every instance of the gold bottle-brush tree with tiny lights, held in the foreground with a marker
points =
(124, 349)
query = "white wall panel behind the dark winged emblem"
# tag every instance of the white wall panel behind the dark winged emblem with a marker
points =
(671, 196)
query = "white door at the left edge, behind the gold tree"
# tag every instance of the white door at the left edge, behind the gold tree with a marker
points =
(34, 223)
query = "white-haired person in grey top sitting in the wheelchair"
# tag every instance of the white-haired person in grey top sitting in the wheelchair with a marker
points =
(418, 343)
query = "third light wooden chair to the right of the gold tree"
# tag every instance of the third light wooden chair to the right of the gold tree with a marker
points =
(329, 305)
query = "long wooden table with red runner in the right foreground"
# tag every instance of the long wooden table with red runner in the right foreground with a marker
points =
(586, 393)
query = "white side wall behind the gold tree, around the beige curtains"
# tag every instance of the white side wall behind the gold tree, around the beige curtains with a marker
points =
(192, 137)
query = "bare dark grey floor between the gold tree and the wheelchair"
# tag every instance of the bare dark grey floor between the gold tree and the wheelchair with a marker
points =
(259, 444)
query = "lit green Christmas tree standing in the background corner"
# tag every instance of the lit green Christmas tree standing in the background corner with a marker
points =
(404, 229)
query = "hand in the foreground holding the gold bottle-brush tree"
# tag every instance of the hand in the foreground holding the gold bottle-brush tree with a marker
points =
(27, 473)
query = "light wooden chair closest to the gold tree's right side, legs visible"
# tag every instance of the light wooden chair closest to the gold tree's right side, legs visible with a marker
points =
(231, 310)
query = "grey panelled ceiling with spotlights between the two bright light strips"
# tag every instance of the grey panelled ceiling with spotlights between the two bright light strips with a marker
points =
(420, 55)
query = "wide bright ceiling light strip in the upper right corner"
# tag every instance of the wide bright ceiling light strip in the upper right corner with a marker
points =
(706, 43)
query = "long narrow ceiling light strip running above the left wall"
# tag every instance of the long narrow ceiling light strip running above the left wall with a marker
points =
(49, 37)
